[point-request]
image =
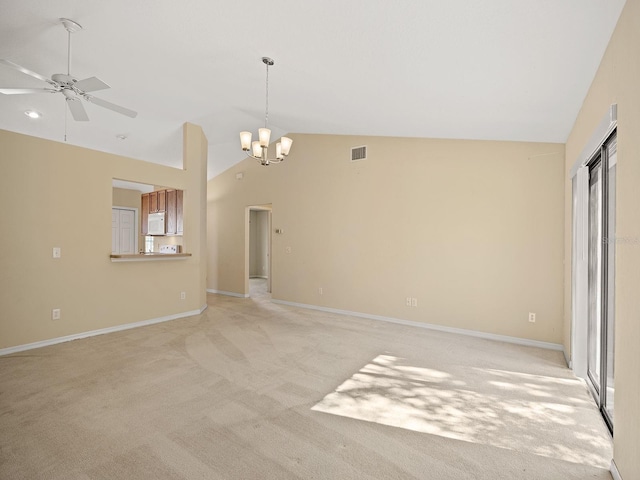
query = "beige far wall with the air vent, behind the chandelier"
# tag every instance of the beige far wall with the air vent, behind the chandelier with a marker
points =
(472, 229)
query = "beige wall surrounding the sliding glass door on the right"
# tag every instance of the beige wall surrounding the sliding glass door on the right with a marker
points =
(618, 81)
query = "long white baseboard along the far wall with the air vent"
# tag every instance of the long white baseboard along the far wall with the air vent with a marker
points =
(431, 326)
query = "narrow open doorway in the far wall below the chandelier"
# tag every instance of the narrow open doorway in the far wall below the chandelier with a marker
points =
(258, 251)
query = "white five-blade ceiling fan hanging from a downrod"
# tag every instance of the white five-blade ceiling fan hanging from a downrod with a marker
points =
(72, 88)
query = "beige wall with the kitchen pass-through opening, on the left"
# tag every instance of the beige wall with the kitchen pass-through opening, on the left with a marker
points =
(57, 195)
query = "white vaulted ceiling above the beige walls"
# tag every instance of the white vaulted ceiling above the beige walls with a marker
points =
(482, 69)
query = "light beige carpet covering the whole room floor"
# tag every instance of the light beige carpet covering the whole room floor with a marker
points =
(254, 390)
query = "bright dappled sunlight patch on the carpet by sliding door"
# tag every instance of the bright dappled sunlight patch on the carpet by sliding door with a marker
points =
(494, 407)
